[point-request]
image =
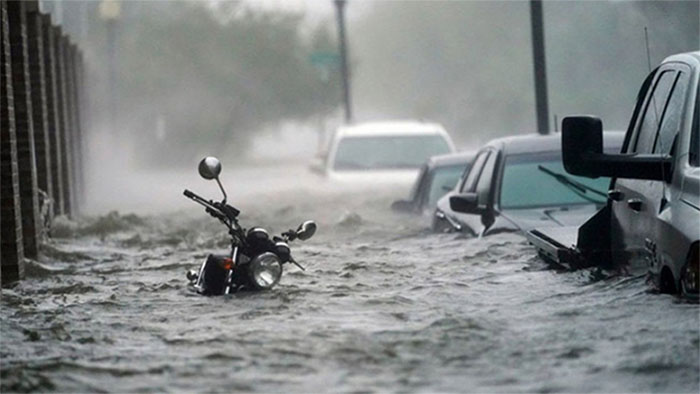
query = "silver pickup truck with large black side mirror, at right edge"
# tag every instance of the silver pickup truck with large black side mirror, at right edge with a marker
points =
(651, 222)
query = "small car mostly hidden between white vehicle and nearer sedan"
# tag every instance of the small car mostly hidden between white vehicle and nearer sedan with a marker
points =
(437, 176)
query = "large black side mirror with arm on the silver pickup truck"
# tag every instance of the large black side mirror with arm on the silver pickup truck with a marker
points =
(582, 154)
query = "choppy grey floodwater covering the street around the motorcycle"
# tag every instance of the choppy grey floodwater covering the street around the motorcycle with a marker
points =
(383, 305)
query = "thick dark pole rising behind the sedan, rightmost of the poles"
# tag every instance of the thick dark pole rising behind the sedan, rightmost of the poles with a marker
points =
(540, 65)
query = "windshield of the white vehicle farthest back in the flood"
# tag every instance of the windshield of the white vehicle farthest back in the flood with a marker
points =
(390, 152)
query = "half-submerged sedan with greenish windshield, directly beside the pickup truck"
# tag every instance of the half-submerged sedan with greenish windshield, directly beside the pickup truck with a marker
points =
(518, 183)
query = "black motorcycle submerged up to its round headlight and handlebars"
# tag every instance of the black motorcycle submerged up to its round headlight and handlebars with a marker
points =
(255, 261)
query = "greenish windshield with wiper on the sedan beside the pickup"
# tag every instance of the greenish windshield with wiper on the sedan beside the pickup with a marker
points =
(534, 181)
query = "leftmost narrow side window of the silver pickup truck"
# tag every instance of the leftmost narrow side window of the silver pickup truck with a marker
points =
(651, 118)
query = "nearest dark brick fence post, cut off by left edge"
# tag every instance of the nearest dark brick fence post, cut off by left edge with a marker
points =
(11, 248)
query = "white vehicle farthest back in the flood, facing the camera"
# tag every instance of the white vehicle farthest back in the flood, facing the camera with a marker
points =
(383, 152)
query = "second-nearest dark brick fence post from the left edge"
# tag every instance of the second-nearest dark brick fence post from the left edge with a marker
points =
(24, 128)
